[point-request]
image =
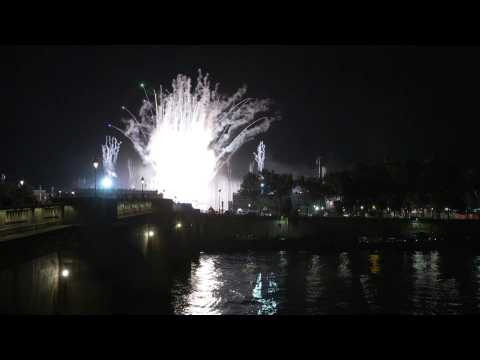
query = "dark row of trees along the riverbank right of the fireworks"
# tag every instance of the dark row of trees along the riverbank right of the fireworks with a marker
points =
(396, 186)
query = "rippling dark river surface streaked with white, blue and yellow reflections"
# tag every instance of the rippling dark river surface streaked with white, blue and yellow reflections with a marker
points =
(345, 283)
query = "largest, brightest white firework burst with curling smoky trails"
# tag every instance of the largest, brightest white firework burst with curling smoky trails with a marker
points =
(187, 135)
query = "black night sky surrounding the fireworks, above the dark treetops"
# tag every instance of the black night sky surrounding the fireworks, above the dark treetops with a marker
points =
(349, 103)
